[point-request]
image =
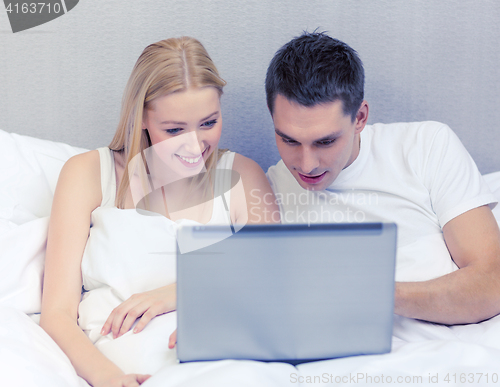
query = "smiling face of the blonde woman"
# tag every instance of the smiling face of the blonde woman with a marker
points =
(184, 128)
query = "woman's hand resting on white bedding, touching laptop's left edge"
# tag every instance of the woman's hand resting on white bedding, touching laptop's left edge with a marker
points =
(145, 306)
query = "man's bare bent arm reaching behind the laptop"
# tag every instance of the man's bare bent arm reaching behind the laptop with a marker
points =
(470, 294)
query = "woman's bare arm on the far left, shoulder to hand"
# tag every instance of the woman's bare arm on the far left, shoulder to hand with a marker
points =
(77, 194)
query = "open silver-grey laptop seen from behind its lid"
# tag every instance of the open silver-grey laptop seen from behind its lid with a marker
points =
(288, 293)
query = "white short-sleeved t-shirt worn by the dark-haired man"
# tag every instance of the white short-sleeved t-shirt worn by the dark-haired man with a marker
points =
(418, 175)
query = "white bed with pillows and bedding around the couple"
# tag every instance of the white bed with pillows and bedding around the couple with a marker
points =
(422, 353)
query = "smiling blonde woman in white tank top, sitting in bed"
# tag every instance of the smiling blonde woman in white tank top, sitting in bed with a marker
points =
(164, 159)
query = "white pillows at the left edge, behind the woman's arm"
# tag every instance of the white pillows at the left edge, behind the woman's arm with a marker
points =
(29, 168)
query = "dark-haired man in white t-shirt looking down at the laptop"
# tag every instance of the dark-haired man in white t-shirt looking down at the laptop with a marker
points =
(334, 168)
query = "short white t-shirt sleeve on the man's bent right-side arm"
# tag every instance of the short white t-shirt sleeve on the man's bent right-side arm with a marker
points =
(451, 175)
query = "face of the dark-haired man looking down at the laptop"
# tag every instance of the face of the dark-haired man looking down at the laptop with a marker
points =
(317, 142)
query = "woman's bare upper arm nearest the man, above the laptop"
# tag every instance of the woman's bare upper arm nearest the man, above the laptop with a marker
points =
(255, 202)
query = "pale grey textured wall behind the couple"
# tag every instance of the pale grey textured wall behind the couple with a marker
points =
(424, 60)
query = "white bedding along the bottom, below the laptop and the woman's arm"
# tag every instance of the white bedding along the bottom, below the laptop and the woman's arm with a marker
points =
(422, 354)
